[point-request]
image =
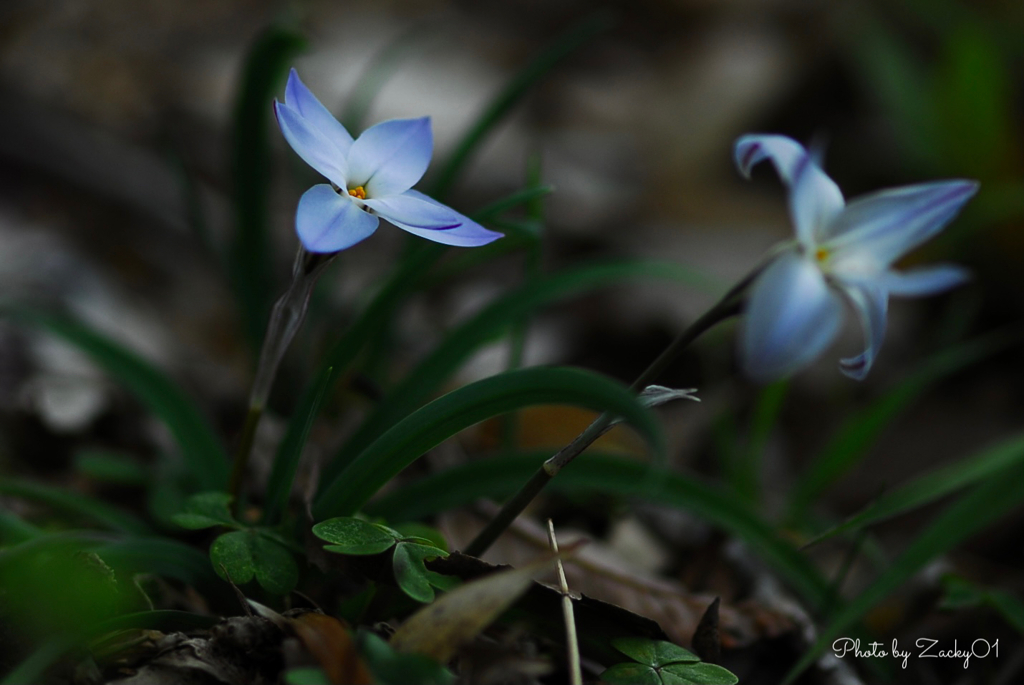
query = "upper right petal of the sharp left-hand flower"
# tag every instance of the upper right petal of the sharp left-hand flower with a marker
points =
(390, 158)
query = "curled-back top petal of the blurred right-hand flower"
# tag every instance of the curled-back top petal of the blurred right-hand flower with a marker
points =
(815, 199)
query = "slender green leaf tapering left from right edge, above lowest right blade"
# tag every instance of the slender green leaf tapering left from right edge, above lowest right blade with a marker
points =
(933, 486)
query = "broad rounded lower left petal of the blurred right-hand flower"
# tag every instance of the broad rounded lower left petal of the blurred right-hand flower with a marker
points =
(791, 318)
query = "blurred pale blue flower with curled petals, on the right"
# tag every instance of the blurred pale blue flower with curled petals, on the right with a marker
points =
(842, 251)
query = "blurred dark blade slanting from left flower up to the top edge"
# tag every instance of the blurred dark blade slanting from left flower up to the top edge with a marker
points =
(514, 94)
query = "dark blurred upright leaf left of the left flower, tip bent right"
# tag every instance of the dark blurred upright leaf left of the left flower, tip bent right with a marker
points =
(249, 258)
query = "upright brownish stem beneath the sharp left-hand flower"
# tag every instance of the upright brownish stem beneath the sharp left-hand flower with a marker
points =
(286, 319)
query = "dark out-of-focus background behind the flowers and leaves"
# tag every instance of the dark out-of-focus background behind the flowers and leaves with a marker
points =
(116, 190)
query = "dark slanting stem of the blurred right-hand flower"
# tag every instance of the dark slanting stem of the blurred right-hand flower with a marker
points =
(729, 307)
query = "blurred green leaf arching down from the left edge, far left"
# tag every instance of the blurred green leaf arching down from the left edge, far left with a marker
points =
(199, 445)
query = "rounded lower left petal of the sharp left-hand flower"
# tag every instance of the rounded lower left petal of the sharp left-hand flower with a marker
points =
(328, 223)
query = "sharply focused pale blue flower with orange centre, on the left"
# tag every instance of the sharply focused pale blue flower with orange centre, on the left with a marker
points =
(371, 178)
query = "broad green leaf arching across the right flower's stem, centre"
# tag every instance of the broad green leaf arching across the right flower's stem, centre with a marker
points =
(432, 425)
